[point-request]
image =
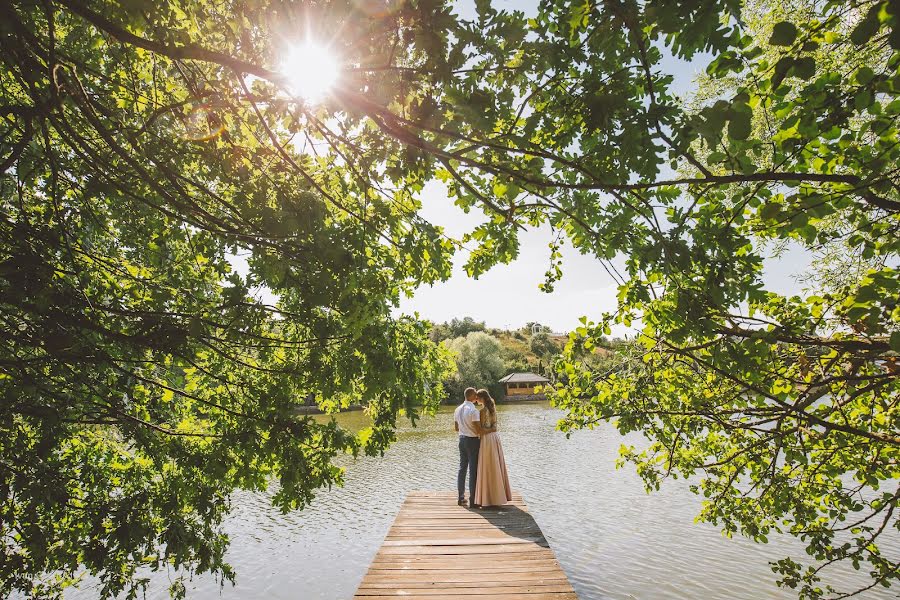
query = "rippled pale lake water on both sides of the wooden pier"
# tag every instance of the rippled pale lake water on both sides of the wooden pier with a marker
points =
(613, 540)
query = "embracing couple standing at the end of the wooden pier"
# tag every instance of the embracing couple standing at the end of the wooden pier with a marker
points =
(480, 452)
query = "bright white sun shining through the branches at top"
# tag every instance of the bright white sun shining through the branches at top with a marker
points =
(311, 70)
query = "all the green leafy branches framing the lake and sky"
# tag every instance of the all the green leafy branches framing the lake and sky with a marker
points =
(139, 152)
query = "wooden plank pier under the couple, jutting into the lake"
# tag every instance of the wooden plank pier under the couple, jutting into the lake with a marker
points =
(436, 550)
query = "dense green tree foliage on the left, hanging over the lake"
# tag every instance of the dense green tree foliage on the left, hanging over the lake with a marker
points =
(143, 377)
